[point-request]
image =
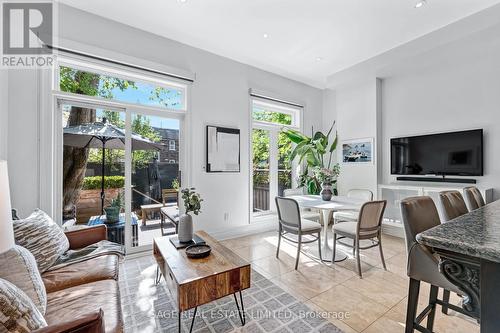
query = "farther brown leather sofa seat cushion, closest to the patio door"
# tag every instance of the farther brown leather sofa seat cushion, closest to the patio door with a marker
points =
(95, 269)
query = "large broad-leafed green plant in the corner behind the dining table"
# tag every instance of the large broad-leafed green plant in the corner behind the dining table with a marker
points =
(315, 153)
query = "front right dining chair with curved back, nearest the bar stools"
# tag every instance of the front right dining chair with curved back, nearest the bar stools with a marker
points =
(368, 226)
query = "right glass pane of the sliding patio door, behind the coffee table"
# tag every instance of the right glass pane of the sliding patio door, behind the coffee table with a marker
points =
(155, 177)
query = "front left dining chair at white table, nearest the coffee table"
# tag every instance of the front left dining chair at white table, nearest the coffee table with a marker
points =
(290, 222)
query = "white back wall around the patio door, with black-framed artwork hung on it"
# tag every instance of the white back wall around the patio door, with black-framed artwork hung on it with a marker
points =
(219, 96)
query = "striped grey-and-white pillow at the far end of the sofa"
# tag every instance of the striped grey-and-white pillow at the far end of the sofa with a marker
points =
(42, 237)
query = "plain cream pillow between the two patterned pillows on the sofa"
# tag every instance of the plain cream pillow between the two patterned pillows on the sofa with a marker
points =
(18, 266)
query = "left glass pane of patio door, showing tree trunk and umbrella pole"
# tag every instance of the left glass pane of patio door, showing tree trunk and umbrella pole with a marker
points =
(93, 169)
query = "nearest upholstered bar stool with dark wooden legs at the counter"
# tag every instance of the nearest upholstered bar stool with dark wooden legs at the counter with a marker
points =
(420, 214)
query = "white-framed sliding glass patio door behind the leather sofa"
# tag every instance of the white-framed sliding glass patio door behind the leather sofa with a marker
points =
(143, 175)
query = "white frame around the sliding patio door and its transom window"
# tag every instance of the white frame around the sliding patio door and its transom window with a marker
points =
(59, 97)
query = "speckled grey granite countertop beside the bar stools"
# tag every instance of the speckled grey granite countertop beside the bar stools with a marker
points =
(476, 234)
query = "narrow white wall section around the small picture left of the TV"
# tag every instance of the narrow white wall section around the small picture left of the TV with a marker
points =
(356, 108)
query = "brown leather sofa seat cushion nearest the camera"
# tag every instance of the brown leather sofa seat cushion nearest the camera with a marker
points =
(70, 303)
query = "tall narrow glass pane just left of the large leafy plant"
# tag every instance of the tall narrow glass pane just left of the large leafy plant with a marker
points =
(261, 167)
